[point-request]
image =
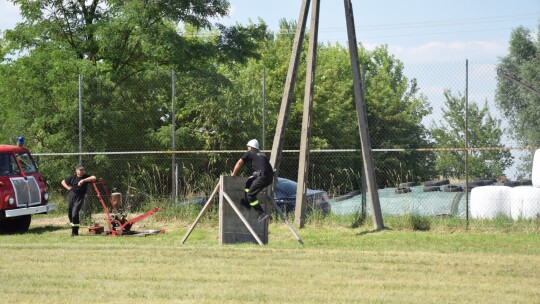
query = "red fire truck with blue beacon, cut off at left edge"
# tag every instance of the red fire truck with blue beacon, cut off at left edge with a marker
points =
(23, 191)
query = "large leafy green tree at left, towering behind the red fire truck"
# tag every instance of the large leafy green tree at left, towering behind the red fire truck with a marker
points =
(125, 51)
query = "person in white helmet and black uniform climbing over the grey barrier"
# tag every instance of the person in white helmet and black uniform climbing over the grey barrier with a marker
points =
(263, 176)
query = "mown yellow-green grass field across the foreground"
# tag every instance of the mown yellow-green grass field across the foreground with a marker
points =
(335, 265)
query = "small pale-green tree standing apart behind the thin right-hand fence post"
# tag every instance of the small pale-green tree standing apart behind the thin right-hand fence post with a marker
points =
(484, 132)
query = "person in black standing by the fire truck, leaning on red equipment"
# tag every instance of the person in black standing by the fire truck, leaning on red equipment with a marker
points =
(76, 185)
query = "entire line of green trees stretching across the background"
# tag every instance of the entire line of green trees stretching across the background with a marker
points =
(126, 50)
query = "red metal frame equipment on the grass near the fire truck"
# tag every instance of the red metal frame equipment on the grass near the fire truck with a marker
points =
(121, 226)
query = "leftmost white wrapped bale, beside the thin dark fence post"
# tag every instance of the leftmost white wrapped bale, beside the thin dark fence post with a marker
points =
(489, 201)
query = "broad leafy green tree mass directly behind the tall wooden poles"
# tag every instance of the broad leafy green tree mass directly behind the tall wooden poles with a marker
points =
(334, 123)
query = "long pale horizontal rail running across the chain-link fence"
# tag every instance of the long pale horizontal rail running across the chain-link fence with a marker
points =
(285, 151)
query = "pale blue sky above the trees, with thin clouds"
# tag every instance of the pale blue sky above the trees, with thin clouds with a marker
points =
(416, 31)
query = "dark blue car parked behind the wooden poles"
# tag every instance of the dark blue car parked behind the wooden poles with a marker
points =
(285, 197)
